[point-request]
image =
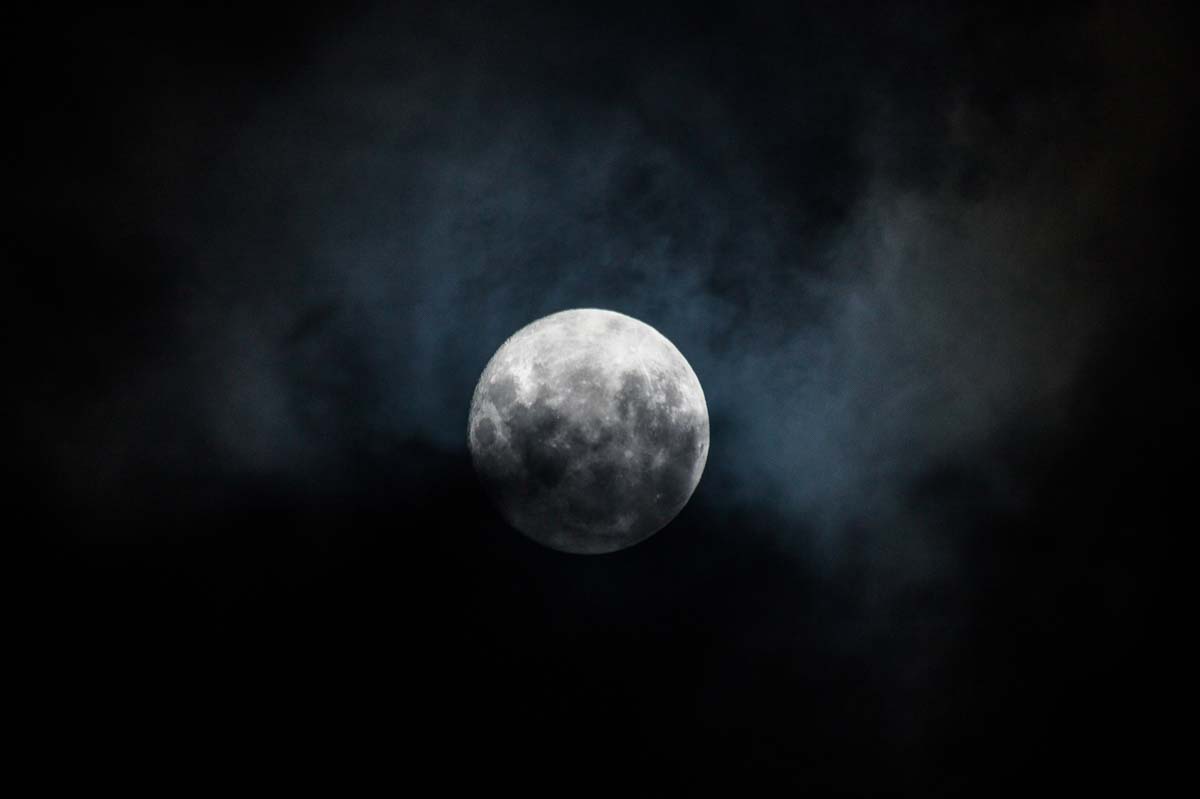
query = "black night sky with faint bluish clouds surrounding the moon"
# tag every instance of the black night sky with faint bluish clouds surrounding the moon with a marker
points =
(928, 261)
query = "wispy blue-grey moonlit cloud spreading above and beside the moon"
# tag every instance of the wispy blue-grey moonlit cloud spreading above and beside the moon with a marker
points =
(380, 223)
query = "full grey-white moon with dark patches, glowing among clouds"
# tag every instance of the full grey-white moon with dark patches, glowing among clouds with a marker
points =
(590, 431)
